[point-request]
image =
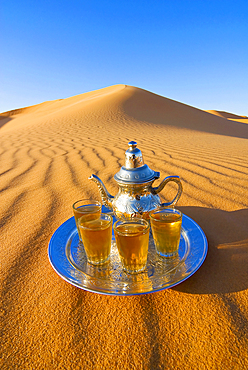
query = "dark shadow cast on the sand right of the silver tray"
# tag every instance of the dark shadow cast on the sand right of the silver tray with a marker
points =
(225, 269)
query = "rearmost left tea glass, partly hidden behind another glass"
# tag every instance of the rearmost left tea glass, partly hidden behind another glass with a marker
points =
(87, 210)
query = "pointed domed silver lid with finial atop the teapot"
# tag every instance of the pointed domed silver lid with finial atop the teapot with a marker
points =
(135, 171)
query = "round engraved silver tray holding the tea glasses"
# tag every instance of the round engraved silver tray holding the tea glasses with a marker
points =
(67, 257)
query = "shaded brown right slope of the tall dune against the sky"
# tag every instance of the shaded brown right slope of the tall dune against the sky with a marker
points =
(148, 107)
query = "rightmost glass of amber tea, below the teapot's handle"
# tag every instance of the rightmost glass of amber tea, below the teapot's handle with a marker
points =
(166, 230)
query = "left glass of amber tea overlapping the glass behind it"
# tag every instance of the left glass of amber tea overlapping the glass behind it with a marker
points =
(96, 237)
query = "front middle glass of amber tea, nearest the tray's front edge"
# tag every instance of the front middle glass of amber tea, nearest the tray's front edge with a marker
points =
(132, 238)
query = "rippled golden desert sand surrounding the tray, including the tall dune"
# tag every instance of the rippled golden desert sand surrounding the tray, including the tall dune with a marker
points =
(47, 153)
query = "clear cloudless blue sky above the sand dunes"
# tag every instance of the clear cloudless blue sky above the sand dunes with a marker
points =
(192, 51)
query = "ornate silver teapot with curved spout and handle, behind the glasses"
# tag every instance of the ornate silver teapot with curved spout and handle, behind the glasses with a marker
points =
(136, 196)
